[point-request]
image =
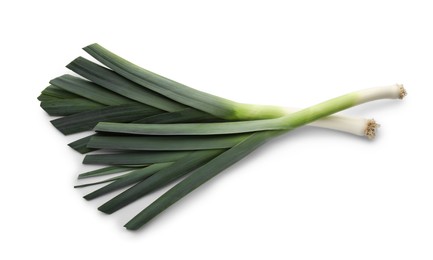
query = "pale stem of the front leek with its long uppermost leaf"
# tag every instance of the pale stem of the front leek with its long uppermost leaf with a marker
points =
(287, 122)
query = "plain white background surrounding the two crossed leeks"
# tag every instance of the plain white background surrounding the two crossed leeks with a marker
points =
(313, 194)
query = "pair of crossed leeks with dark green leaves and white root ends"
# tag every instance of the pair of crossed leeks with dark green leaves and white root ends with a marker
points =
(154, 130)
